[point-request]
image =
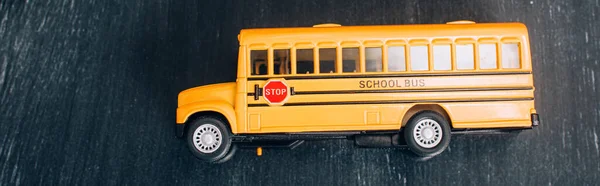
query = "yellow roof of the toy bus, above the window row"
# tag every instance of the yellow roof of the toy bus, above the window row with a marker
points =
(337, 33)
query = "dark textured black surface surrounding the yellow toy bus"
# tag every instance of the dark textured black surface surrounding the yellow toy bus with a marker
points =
(88, 94)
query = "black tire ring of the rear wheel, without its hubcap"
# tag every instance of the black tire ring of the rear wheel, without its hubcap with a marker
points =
(422, 151)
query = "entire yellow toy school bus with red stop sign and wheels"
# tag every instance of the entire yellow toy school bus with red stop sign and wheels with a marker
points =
(381, 86)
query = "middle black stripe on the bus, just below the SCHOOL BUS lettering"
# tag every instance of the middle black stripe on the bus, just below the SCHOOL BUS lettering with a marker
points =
(404, 90)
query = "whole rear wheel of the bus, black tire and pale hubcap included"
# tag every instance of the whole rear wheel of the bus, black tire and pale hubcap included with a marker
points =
(427, 134)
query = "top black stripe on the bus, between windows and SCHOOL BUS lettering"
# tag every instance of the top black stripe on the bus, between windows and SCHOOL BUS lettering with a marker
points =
(343, 76)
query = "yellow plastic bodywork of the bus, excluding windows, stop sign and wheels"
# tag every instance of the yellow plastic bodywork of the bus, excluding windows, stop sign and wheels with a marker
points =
(339, 101)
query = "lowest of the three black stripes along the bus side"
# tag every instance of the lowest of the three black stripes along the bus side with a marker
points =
(393, 102)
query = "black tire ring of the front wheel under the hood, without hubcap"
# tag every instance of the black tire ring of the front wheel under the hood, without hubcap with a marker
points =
(218, 154)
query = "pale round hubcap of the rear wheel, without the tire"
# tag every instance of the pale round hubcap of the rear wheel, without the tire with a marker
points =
(427, 133)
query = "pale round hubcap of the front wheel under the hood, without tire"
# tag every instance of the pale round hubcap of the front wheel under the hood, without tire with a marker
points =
(207, 138)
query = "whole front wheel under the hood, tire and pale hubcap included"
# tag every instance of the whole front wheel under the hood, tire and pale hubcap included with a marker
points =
(209, 139)
